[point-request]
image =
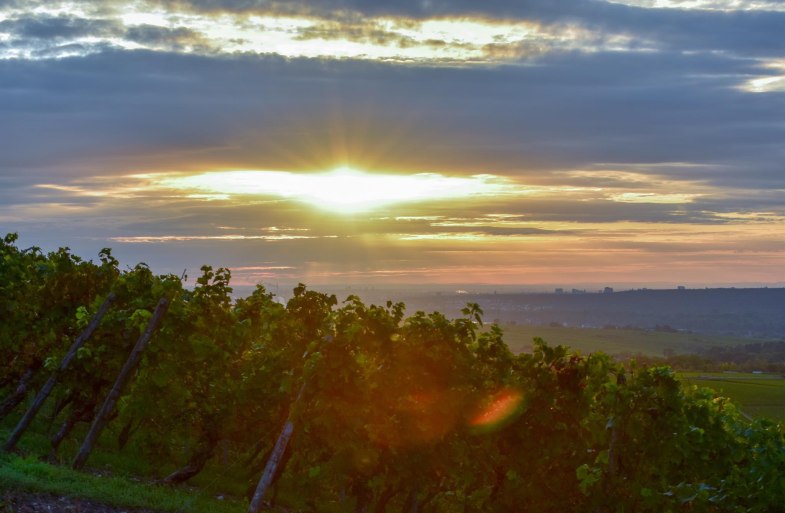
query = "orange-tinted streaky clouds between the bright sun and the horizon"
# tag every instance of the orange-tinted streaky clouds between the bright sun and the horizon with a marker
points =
(457, 243)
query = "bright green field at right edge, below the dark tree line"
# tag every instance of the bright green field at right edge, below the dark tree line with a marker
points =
(758, 395)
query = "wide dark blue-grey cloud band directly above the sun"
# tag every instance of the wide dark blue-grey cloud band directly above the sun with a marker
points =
(571, 111)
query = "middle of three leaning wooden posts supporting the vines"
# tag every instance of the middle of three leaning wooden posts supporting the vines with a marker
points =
(122, 379)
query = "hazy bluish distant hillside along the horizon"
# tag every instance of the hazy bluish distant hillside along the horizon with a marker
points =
(754, 312)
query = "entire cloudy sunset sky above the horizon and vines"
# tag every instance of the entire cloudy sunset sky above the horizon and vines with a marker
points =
(520, 142)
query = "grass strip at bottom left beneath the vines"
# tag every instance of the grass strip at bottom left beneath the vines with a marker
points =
(30, 474)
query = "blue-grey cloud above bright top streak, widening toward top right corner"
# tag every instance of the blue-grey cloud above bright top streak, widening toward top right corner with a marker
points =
(753, 29)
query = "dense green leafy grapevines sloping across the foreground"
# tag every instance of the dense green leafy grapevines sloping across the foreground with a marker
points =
(359, 408)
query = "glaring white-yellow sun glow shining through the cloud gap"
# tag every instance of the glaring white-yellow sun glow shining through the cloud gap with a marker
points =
(344, 190)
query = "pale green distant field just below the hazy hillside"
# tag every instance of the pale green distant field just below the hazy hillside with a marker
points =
(616, 341)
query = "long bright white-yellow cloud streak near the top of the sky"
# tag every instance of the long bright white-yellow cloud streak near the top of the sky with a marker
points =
(164, 27)
